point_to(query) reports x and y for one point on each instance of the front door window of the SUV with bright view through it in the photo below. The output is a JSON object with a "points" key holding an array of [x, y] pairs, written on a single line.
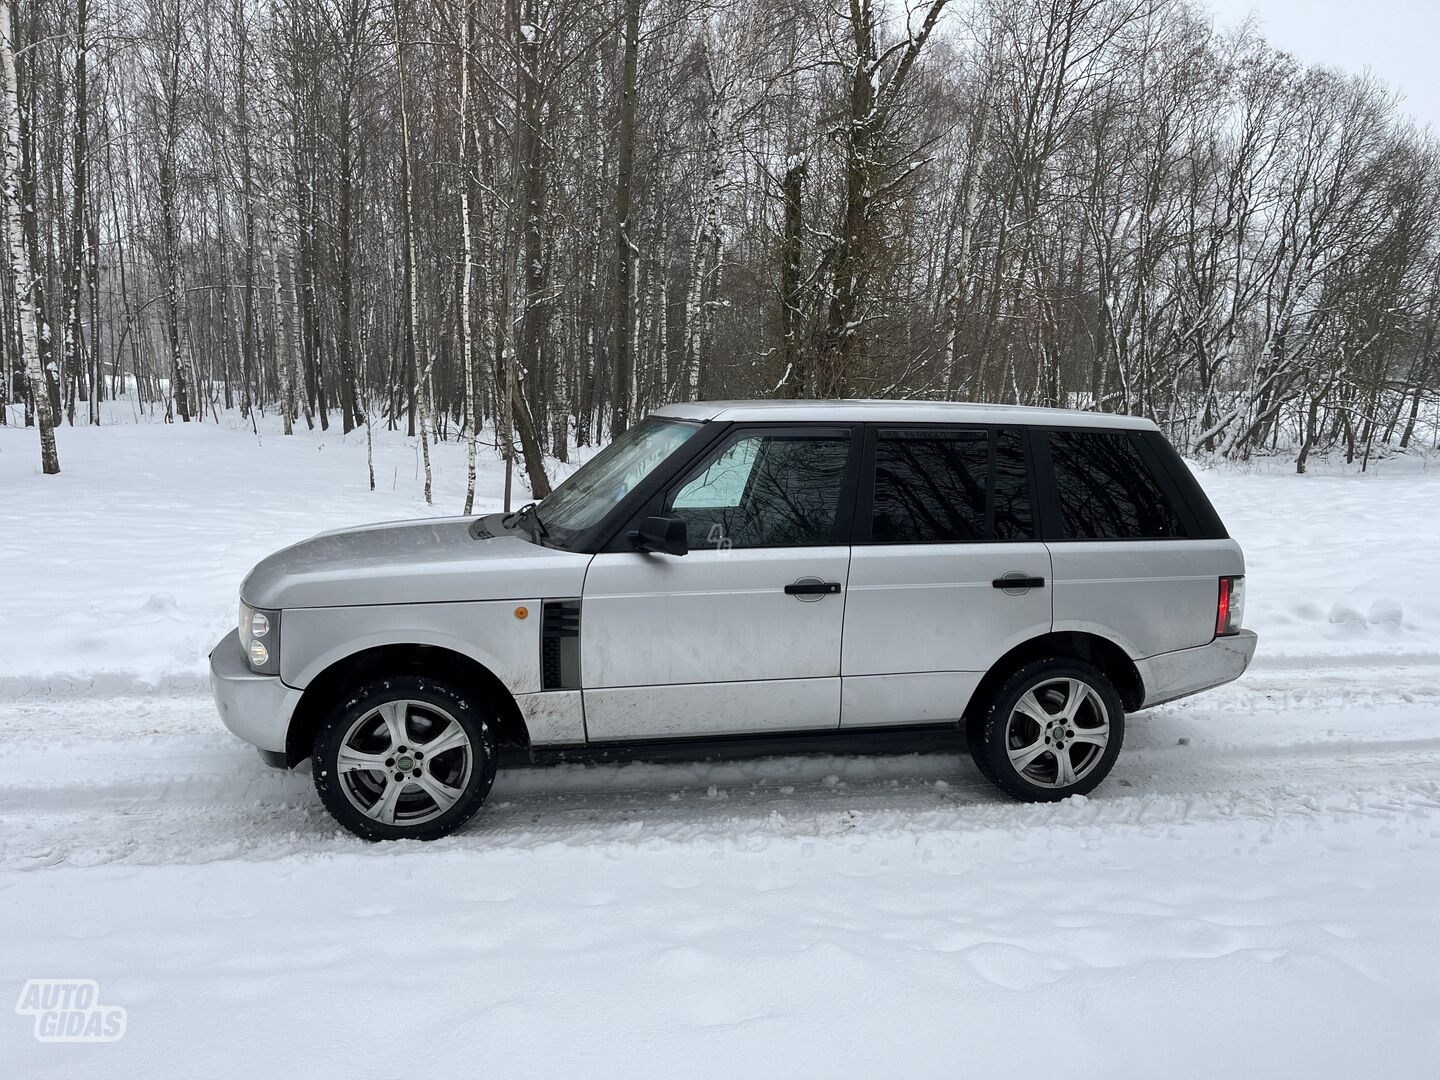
{"points": [[765, 492]]}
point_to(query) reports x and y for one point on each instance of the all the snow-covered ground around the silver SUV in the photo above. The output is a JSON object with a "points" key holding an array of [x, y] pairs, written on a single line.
{"points": [[1255, 889]]}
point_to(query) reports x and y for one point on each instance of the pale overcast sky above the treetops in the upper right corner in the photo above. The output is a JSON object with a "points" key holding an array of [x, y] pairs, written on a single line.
{"points": [[1396, 40]]}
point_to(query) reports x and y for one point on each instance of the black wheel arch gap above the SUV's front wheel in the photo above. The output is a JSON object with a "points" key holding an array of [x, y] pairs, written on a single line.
{"points": [[436, 662]]}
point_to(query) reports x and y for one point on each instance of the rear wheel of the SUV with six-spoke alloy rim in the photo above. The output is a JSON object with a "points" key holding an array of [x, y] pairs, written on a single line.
{"points": [[1053, 729]]}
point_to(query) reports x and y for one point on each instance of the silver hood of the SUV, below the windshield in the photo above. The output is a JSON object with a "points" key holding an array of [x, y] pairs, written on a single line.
{"points": [[413, 562]]}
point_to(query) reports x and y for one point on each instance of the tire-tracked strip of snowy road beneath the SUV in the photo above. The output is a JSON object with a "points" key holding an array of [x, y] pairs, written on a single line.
{"points": [[199, 798]]}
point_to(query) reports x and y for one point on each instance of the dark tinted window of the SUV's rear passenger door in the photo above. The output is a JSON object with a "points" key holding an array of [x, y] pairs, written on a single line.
{"points": [[950, 487]]}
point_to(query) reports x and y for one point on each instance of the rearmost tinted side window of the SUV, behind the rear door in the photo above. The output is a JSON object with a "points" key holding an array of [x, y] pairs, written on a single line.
{"points": [[1107, 489]]}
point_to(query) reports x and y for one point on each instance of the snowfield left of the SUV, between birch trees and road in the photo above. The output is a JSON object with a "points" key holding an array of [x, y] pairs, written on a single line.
{"points": [[135, 554]]}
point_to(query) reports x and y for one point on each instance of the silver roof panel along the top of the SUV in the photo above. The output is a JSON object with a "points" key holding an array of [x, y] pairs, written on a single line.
{"points": [[852, 411]]}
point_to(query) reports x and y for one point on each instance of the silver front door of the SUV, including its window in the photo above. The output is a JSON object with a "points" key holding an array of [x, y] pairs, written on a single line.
{"points": [[742, 634]]}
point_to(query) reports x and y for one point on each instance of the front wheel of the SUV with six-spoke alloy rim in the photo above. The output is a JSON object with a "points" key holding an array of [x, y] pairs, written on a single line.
{"points": [[405, 758]]}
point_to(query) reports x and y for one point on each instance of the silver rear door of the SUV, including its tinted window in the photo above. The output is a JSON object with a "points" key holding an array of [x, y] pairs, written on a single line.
{"points": [[947, 574]]}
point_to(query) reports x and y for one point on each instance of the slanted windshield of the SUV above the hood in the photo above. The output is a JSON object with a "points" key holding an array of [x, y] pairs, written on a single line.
{"points": [[601, 483]]}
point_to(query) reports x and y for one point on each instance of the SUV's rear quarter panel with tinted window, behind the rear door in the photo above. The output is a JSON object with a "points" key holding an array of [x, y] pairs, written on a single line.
{"points": [[1134, 561]]}
